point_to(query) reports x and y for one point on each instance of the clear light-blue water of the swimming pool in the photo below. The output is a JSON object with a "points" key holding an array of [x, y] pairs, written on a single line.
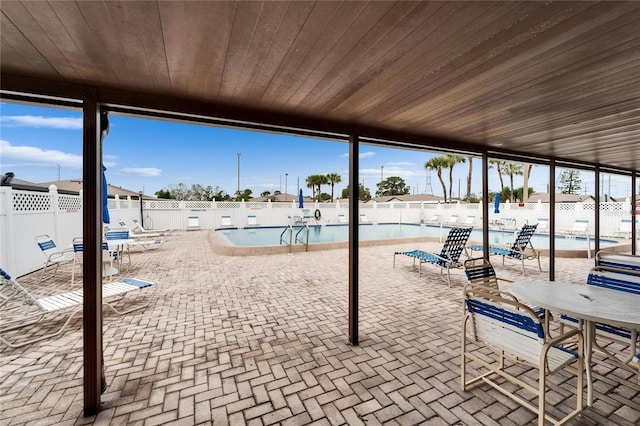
{"points": [[270, 236]]}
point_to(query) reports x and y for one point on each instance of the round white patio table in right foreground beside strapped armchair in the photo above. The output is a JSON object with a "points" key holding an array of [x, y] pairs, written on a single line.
{"points": [[585, 302]]}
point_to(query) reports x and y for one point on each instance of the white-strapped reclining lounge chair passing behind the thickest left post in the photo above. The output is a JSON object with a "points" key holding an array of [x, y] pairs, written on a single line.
{"points": [[33, 309]]}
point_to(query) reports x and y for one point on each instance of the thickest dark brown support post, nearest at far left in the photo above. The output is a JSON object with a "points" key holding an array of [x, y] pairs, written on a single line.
{"points": [[92, 262]]}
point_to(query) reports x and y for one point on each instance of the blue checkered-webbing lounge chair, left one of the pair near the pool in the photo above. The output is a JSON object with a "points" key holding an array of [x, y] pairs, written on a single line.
{"points": [[449, 256]]}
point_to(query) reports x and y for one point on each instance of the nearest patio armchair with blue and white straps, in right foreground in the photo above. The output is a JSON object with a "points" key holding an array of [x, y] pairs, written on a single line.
{"points": [[499, 334]]}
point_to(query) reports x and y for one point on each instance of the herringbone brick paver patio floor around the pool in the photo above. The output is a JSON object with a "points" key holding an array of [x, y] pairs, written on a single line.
{"points": [[262, 340]]}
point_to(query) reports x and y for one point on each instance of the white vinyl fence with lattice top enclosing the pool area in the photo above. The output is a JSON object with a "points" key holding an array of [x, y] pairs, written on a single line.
{"points": [[26, 214]]}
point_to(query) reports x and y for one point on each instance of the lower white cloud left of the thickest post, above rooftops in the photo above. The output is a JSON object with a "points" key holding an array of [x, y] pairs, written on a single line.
{"points": [[30, 155]]}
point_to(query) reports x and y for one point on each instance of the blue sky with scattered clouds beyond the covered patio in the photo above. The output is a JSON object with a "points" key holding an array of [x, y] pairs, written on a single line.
{"points": [[37, 143]]}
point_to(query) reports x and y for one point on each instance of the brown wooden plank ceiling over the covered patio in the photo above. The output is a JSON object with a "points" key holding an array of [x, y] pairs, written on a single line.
{"points": [[549, 78]]}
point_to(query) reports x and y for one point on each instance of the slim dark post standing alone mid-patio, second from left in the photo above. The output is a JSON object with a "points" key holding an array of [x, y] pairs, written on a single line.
{"points": [[354, 223]]}
